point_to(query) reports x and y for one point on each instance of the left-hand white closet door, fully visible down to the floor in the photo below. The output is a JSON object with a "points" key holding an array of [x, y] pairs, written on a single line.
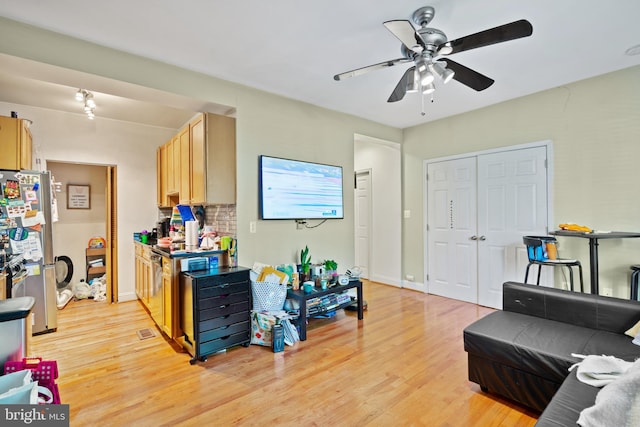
{"points": [[452, 254]]}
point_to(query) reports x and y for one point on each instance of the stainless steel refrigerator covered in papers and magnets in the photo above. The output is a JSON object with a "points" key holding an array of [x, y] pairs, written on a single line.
{"points": [[27, 202]]}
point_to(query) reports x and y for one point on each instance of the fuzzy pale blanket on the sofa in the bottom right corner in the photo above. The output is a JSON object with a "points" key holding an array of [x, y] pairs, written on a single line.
{"points": [[617, 404]]}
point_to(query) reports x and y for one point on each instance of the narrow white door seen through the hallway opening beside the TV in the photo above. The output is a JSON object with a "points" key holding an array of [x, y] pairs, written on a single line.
{"points": [[363, 221]]}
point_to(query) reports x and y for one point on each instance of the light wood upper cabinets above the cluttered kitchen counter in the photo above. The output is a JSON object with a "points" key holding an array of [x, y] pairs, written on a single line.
{"points": [[205, 170]]}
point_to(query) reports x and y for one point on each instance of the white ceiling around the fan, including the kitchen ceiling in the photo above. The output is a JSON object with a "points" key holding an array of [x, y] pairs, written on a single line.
{"points": [[293, 48]]}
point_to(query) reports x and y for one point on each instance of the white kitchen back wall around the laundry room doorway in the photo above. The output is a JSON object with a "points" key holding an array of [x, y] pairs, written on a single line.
{"points": [[66, 137]]}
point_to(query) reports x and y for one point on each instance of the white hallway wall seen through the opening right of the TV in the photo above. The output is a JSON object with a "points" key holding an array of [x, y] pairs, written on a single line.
{"points": [[383, 159]]}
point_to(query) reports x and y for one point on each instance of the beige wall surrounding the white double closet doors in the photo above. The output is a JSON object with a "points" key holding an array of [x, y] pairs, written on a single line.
{"points": [[595, 129]]}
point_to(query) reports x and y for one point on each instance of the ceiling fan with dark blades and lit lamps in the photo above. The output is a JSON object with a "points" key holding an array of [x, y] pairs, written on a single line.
{"points": [[426, 47]]}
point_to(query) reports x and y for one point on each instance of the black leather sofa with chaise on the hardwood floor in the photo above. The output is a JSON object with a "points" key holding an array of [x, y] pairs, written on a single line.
{"points": [[523, 352]]}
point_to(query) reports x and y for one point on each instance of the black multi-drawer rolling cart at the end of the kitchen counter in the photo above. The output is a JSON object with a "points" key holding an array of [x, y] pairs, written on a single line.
{"points": [[215, 310]]}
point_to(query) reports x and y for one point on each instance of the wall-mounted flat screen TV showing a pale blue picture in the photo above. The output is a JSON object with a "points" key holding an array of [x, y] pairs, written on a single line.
{"points": [[294, 189]]}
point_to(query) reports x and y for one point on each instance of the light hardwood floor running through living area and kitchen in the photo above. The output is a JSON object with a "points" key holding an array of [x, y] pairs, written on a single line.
{"points": [[403, 365]]}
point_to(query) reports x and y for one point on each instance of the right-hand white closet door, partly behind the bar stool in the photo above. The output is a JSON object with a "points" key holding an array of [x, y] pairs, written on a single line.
{"points": [[512, 202]]}
